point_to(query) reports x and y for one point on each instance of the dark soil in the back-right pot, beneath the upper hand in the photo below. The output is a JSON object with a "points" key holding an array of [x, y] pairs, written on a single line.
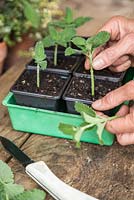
{"points": [[106, 73]]}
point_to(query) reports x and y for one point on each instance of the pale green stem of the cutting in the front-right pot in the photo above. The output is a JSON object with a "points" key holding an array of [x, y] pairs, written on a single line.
{"points": [[92, 74]]}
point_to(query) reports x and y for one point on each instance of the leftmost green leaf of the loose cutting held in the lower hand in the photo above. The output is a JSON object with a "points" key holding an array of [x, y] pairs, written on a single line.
{"points": [[67, 129]]}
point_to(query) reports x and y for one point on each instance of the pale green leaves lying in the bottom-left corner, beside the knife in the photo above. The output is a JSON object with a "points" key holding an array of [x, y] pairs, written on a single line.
{"points": [[11, 191]]}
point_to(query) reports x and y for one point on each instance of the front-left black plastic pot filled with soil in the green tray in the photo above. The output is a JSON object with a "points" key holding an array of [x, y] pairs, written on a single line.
{"points": [[37, 100]]}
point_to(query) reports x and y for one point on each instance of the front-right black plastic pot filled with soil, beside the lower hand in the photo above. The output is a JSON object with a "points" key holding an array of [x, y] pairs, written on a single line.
{"points": [[74, 89]]}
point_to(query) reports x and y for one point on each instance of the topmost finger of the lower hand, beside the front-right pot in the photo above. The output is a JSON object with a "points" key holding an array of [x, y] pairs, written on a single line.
{"points": [[116, 97]]}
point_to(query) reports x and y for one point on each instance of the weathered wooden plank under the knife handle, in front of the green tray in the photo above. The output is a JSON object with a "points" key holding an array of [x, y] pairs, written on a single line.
{"points": [[103, 172]]}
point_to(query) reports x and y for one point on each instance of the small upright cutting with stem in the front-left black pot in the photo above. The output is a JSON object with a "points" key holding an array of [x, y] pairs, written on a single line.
{"points": [[40, 59]]}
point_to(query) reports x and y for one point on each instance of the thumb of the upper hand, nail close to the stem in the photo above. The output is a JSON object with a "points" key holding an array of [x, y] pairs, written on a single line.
{"points": [[111, 54]]}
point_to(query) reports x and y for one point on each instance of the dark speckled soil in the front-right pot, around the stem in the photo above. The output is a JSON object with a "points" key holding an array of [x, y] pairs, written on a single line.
{"points": [[80, 88]]}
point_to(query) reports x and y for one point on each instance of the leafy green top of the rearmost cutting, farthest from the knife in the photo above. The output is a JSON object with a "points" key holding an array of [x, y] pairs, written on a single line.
{"points": [[69, 22]]}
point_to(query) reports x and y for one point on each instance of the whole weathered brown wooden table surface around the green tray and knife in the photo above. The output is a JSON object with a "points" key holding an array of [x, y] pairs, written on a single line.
{"points": [[106, 173]]}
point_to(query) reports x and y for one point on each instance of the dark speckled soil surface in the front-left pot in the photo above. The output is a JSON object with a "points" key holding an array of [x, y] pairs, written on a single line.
{"points": [[50, 84]]}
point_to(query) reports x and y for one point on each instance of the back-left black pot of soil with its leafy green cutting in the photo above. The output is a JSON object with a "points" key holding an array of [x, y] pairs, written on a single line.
{"points": [[53, 43]]}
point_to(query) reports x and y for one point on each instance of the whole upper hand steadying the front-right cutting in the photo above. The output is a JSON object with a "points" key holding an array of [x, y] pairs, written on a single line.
{"points": [[119, 51]]}
